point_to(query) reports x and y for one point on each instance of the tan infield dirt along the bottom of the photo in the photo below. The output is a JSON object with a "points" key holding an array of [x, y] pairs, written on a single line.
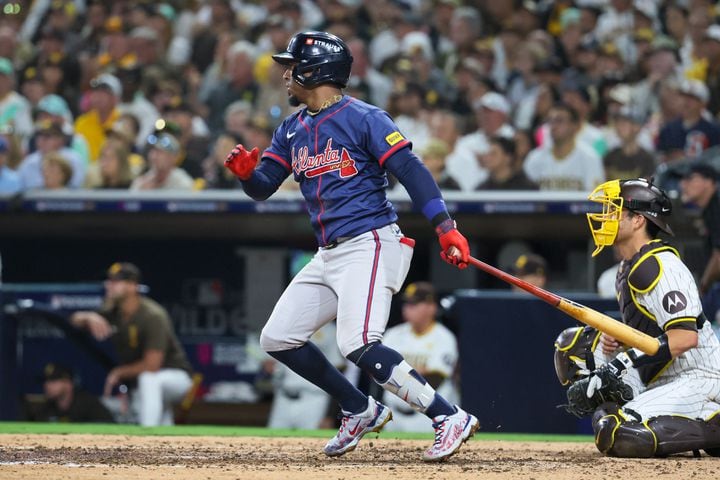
{"points": [[123, 457]]}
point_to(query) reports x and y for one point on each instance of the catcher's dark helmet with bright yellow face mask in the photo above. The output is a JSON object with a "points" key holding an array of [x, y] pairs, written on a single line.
{"points": [[637, 195]]}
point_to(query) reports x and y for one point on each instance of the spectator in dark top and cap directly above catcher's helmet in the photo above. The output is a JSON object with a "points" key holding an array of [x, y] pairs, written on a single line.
{"points": [[628, 160]]}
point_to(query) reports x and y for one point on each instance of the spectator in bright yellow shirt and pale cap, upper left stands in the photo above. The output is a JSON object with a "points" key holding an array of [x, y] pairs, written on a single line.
{"points": [[103, 113]]}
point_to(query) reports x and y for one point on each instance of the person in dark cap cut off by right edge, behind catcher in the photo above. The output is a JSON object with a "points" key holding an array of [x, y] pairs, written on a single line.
{"points": [[699, 187]]}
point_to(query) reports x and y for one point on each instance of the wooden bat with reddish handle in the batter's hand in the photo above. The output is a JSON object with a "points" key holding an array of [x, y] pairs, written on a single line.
{"points": [[618, 330]]}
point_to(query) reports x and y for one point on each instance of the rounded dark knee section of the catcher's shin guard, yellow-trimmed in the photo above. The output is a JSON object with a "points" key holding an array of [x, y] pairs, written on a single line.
{"points": [[617, 437]]}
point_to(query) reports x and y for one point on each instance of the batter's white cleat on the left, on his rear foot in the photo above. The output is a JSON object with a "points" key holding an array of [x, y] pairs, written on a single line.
{"points": [[355, 426]]}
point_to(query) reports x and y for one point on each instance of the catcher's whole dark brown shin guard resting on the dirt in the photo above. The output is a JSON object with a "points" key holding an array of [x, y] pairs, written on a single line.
{"points": [[657, 437]]}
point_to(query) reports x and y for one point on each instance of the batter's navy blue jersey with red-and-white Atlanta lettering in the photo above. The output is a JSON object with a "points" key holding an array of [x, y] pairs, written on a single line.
{"points": [[337, 157]]}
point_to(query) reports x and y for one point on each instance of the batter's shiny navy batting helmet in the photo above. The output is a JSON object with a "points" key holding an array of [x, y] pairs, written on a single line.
{"points": [[317, 58]]}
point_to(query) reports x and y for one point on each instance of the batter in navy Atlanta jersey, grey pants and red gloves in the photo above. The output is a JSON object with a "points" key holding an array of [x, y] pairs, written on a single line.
{"points": [[338, 149]]}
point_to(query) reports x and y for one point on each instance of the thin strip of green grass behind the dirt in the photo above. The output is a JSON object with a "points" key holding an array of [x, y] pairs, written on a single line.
{"points": [[229, 431]]}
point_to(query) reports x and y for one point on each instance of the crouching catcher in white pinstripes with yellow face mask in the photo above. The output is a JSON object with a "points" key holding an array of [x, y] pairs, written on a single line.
{"points": [[645, 405]]}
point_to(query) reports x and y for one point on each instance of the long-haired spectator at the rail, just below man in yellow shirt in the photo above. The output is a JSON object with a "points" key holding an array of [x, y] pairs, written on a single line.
{"points": [[112, 170]]}
